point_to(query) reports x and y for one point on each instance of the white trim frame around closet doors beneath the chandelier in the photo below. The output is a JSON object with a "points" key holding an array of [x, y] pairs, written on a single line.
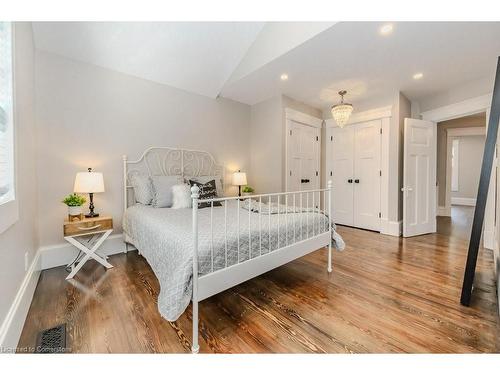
{"points": [[392, 228]]}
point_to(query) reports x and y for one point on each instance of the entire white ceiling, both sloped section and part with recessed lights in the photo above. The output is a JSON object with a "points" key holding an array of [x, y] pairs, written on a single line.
{"points": [[320, 59]]}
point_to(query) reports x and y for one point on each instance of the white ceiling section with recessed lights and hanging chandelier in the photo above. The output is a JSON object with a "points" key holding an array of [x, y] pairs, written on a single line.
{"points": [[355, 57]]}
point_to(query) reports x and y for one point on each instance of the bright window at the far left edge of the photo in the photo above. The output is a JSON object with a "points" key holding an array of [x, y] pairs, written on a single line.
{"points": [[7, 189]]}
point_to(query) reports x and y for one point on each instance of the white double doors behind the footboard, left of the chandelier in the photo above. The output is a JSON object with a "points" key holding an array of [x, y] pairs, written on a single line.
{"points": [[303, 148]]}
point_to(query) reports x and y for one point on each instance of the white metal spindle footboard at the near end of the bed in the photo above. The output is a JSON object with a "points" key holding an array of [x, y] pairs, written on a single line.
{"points": [[242, 270]]}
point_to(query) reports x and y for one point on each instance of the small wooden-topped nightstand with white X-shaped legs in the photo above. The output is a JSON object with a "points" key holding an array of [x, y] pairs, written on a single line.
{"points": [[88, 235]]}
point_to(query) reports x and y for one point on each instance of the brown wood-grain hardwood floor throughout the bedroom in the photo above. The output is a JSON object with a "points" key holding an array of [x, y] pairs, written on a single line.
{"points": [[386, 294]]}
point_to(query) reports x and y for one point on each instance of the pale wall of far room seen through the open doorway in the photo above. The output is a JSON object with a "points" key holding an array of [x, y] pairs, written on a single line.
{"points": [[470, 158]]}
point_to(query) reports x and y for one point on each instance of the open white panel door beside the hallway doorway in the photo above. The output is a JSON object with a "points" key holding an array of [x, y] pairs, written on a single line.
{"points": [[419, 177]]}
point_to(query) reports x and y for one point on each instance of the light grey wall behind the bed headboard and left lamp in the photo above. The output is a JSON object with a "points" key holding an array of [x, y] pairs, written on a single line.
{"points": [[89, 116]]}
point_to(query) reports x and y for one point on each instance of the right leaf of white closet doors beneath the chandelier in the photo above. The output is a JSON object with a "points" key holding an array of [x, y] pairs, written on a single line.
{"points": [[366, 210]]}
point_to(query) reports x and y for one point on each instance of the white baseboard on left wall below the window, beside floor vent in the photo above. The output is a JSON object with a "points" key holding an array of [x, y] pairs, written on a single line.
{"points": [[13, 324]]}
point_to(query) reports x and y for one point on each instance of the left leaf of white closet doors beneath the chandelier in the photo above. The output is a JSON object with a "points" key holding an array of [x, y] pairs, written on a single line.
{"points": [[343, 175]]}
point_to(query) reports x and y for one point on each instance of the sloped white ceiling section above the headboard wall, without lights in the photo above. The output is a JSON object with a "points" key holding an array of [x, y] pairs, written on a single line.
{"points": [[194, 56]]}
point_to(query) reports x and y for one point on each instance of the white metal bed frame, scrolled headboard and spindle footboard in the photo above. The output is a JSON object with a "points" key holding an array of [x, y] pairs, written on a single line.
{"points": [[192, 163]]}
